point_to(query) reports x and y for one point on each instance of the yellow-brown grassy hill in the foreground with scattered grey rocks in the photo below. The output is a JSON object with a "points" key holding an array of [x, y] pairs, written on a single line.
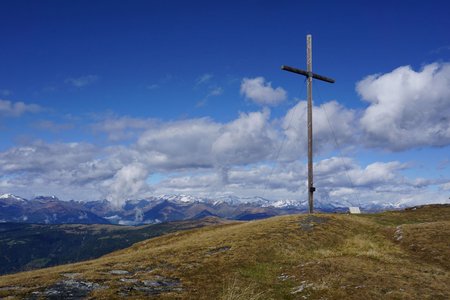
{"points": [[393, 255]]}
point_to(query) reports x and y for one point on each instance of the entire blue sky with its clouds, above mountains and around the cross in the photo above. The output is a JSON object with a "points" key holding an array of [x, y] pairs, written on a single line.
{"points": [[123, 99]]}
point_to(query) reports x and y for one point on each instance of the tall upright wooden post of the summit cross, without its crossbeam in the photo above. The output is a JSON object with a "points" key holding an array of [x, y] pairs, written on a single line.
{"points": [[310, 137]]}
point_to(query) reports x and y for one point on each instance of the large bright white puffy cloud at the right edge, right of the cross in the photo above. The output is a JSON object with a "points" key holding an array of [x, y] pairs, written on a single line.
{"points": [[407, 108]]}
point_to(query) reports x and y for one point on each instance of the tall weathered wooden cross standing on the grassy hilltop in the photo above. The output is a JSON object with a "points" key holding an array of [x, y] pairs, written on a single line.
{"points": [[309, 75]]}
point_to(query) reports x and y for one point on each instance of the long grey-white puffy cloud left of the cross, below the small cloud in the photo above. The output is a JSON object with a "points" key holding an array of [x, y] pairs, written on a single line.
{"points": [[203, 143]]}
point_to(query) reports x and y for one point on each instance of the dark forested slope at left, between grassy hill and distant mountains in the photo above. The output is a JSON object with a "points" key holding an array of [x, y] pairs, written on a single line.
{"points": [[32, 246]]}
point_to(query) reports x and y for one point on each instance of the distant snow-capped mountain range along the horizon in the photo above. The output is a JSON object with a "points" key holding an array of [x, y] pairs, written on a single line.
{"points": [[157, 209]]}
